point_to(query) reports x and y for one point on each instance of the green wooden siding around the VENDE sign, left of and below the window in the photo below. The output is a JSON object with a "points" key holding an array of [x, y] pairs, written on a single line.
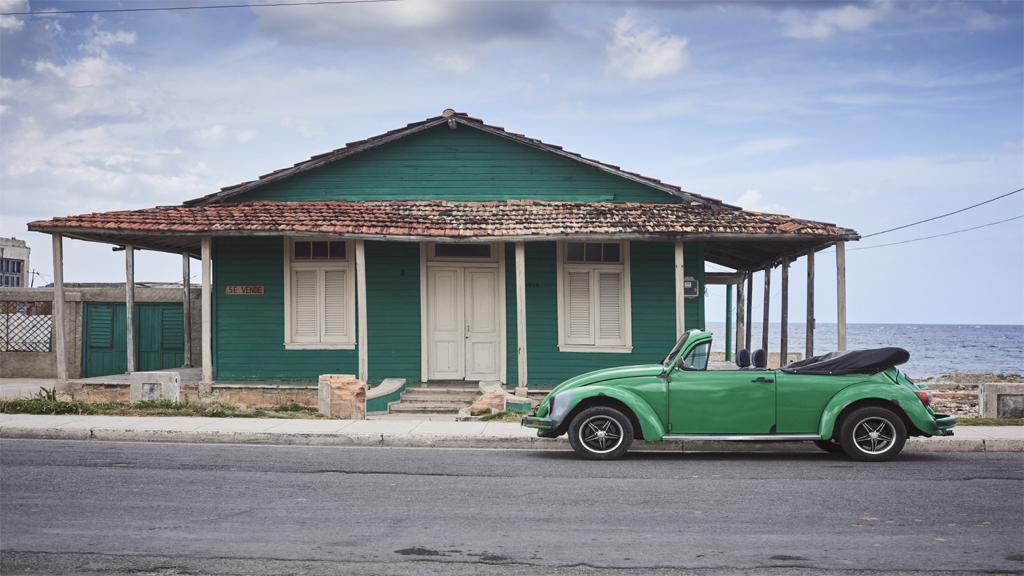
{"points": [[249, 332]]}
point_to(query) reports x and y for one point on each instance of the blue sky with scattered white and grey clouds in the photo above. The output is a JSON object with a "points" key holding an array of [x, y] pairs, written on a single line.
{"points": [[869, 115]]}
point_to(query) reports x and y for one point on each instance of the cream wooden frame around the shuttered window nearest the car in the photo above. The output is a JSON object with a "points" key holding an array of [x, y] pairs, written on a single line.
{"points": [[625, 344]]}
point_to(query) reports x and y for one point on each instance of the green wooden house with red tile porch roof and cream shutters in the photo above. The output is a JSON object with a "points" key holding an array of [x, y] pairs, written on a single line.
{"points": [[451, 251]]}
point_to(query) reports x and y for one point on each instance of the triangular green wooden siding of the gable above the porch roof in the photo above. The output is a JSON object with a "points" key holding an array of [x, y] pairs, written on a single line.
{"points": [[462, 164]]}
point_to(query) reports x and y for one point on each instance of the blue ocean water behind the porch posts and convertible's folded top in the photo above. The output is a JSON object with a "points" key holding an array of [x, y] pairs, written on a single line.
{"points": [[935, 349]]}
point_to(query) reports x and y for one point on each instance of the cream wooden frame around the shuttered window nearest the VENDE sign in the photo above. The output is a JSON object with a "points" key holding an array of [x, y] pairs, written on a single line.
{"points": [[321, 267]]}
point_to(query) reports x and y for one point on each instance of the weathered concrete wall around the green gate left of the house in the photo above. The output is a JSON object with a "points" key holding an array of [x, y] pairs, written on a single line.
{"points": [[45, 365]]}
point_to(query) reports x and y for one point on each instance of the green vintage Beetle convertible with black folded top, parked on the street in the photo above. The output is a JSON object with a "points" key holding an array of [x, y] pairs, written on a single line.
{"points": [[855, 402]]}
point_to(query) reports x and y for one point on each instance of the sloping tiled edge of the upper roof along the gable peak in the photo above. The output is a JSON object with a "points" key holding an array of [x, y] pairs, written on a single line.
{"points": [[451, 118]]}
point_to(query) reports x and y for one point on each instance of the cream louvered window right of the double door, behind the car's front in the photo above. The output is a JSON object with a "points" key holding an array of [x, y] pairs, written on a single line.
{"points": [[594, 307]]}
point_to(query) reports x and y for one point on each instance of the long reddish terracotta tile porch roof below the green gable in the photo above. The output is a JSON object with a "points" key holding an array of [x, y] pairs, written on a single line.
{"points": [[437, 220]]}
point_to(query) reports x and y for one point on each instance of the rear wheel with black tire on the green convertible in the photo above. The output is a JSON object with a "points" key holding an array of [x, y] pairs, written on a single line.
{"points": [[873, 435]]}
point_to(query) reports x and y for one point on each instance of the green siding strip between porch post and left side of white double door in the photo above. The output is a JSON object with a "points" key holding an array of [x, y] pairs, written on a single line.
{"points": [[394, 310]]}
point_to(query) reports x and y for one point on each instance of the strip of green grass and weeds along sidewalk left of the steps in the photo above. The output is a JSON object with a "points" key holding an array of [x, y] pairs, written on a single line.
{"points": [[46, 402]]}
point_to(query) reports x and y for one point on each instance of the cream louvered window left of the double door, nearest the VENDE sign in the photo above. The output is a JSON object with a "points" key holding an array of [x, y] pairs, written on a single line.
{"points": [[321, 312]]}
